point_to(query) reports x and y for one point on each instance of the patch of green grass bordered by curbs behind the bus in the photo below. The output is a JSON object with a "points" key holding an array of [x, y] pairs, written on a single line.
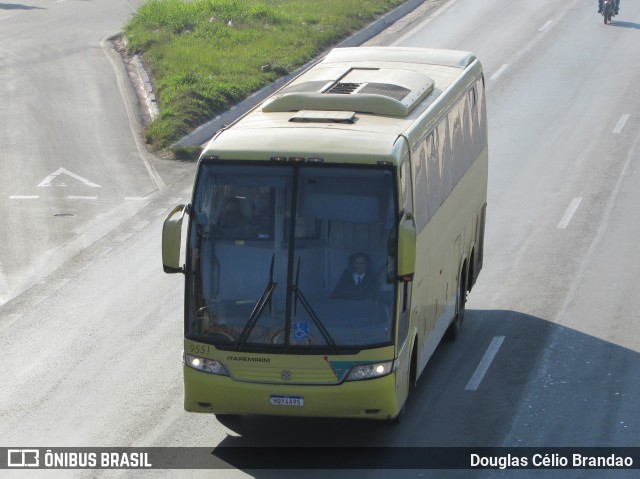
{"points": [[206, 55]]}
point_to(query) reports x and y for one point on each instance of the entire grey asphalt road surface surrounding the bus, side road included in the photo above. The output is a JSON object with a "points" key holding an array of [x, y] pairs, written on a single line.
{"points": [[549, 353]]}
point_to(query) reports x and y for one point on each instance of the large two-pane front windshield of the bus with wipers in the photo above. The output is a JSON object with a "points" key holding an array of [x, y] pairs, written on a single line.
{"points": [[291, 256]]}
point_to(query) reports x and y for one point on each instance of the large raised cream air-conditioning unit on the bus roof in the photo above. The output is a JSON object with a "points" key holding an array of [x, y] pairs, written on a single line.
{"points": [[381, 91]]}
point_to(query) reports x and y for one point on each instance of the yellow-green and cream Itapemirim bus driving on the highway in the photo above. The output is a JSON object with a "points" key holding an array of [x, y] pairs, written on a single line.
{"points": [[370, 166]]}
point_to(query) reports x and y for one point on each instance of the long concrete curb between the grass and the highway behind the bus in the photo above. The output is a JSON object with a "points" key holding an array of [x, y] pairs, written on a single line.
{"points": [[206, 131]]}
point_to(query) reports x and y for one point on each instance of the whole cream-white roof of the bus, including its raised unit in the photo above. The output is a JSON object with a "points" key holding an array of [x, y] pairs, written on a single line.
{"points": [[350, 107]]}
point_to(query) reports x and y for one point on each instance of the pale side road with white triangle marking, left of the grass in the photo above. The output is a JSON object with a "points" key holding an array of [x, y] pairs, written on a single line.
{"points": [[73, 164]]}
